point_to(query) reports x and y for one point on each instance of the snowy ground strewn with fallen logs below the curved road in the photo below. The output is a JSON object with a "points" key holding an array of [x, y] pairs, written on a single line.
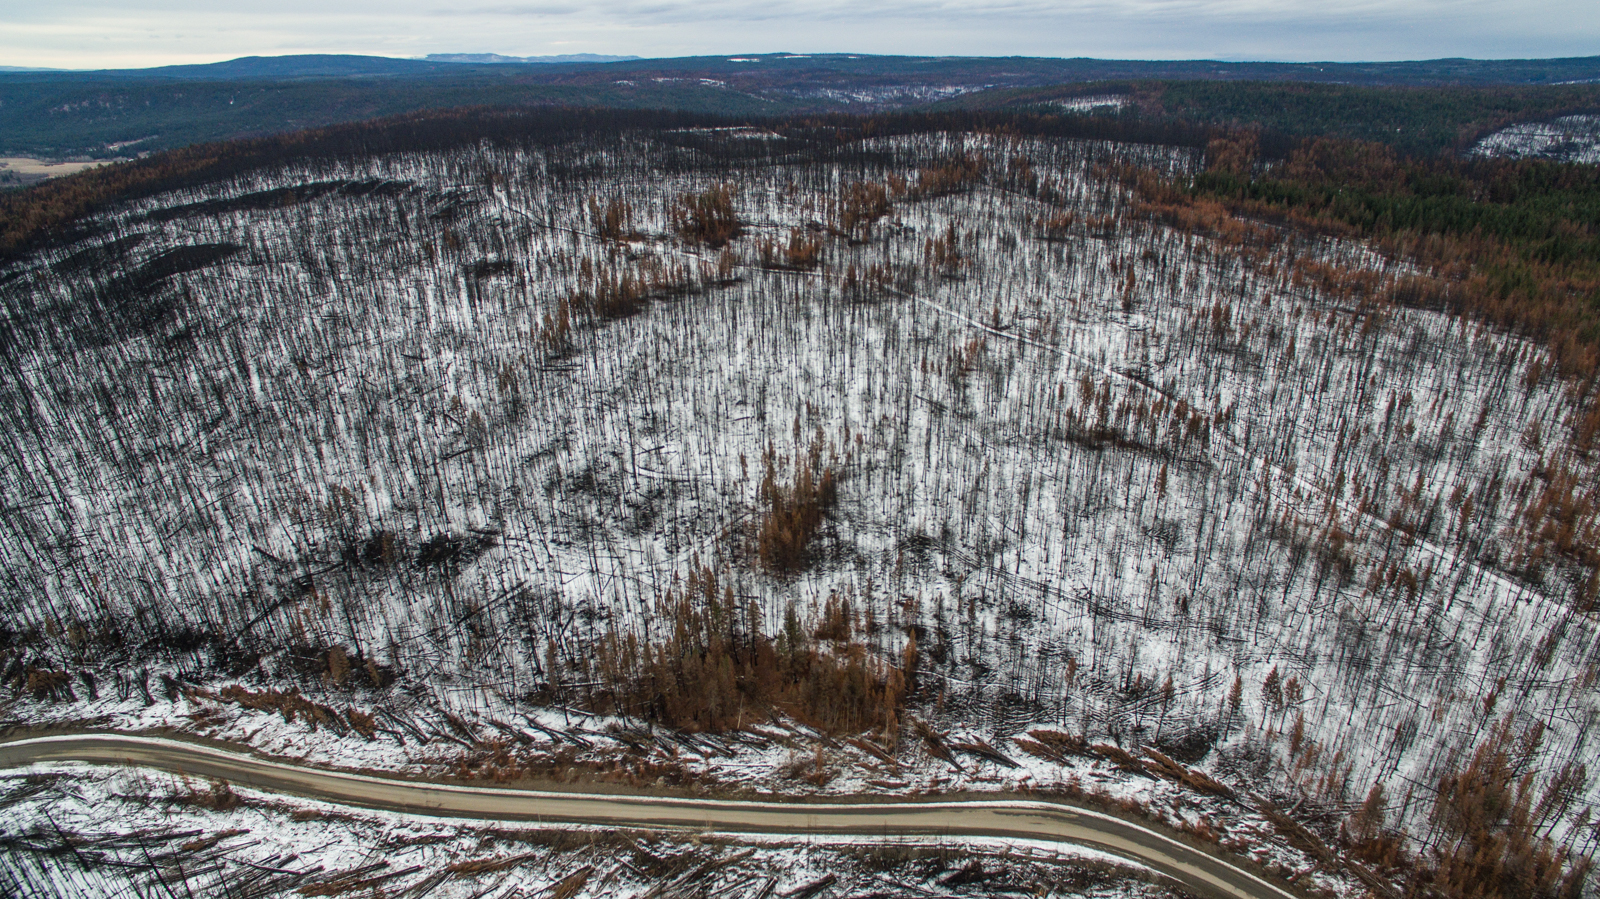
{"points": [[78, 831]]}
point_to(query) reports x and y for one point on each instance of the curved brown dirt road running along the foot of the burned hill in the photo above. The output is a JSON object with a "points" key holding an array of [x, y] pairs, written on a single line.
{"points": [[1054, 823]]}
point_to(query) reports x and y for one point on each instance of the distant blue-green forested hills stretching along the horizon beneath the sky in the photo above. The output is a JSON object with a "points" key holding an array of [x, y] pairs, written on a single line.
{"points": [[126, 113]]}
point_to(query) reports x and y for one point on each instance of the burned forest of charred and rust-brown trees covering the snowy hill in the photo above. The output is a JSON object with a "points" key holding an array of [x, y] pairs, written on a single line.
{"points": [[809, 458]]}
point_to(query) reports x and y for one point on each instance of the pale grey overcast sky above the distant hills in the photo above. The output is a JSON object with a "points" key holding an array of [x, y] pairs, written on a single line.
{"points": [[95, 34]]}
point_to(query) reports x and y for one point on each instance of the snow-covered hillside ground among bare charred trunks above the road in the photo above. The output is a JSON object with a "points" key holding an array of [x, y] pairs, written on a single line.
{"points": [[1105, 471]]}
